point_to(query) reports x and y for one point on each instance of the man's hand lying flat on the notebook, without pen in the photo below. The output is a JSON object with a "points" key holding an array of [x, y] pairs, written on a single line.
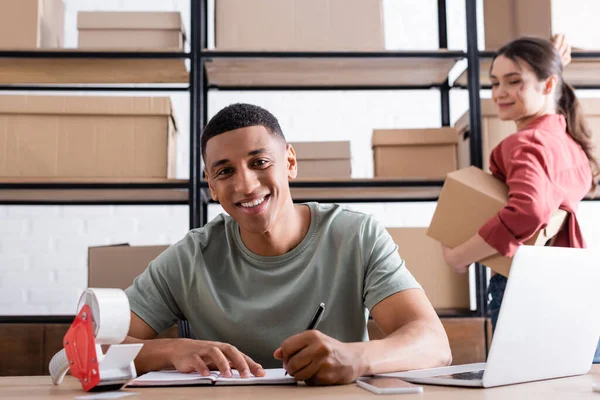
{"points": [[188, 355]]}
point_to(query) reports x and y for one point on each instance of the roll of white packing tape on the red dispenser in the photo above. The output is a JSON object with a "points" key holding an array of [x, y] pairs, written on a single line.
{"points": [[111, 315]]}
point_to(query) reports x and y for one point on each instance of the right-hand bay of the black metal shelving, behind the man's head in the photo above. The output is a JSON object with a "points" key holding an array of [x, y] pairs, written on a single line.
{"points": [[220, 70]]}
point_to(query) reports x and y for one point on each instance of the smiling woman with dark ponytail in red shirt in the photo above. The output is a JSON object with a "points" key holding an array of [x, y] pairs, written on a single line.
{"points": [[547, 164]]}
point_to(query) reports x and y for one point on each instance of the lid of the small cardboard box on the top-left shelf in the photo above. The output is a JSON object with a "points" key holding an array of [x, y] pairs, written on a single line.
{"points": [[169, 20]]}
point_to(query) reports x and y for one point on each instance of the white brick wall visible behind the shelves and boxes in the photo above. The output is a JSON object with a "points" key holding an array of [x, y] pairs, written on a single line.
{"points": [[43, 250]]}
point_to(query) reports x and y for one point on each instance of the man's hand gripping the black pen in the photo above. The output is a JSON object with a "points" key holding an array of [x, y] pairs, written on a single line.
{"points": [[318, 359]]}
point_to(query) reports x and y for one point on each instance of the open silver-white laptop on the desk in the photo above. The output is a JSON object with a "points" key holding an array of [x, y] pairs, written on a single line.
{"points": [[548, 326]]}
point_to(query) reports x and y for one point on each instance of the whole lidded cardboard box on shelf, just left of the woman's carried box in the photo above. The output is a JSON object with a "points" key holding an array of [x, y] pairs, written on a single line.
{"points": [[414, 153]]}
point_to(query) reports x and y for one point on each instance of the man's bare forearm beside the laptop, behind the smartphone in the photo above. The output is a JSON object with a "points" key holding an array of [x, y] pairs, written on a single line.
{"points": [[414, 346]]}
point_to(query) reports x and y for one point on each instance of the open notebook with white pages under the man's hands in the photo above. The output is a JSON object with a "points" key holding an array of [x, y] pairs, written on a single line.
{"points": [[174, 378]]}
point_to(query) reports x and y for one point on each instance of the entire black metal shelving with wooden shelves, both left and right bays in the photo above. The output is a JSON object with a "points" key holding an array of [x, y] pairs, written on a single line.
{"points": [[210, 70]]}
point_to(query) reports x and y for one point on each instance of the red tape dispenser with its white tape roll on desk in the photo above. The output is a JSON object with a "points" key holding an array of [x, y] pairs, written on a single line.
{"points": [[103, 318]]}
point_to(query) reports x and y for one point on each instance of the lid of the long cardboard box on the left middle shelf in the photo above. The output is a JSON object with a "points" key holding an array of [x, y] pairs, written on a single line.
{"points": [[85, 105]]}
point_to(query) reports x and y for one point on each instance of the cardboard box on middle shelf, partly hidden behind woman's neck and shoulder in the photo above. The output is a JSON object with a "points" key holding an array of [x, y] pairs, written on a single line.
{"points": [[494, 130]]}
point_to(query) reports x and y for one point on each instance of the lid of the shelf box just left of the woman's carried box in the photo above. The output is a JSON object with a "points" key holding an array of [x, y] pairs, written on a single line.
{"points": [[407, 137]]}
